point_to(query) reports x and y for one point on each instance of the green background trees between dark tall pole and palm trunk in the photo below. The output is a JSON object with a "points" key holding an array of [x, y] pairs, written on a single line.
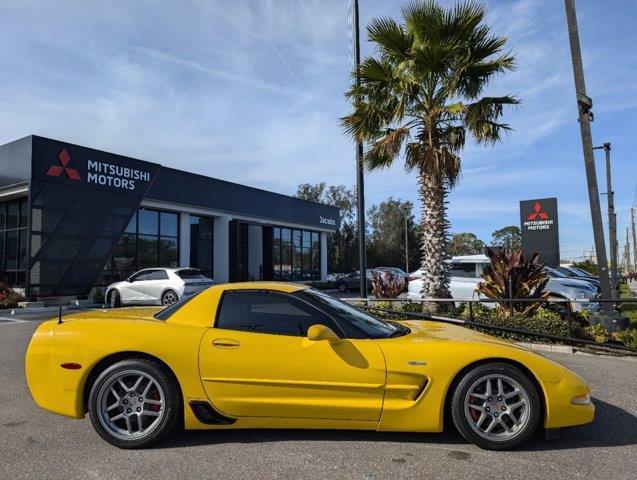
{"points": [[386, 239]]}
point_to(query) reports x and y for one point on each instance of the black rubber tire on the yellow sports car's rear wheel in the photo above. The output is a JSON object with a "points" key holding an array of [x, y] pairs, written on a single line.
{"points": [[165, 417]]}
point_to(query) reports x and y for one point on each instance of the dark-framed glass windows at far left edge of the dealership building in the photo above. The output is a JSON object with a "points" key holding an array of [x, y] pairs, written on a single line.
{"points": [[13, 242]]}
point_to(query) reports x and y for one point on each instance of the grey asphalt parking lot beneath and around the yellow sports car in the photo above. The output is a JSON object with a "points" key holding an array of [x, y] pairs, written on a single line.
{"points": [[36, 444]]}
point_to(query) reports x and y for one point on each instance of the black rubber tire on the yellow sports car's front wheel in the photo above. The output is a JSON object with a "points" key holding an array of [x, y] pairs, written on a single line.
{"points": [[529, 420]]}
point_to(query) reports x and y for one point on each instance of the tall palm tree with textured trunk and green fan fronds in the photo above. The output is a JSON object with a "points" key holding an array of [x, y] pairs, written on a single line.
{"points": [[419, 98]]}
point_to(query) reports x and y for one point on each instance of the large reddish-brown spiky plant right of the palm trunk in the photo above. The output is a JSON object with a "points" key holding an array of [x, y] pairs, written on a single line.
{"points": [[512, 276]]}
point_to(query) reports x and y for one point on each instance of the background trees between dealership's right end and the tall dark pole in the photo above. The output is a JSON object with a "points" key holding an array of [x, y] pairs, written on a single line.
{"points": [[342, 246]]}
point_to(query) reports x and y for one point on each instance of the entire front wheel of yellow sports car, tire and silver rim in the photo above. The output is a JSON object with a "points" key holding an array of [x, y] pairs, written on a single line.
{"points": [[496, 406]]}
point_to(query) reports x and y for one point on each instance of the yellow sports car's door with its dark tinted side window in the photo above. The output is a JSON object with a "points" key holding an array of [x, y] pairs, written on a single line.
{"points": [[257, 361]]}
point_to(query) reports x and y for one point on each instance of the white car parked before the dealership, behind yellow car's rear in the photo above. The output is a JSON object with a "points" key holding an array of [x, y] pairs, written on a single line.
{"points": [[157, 286]]}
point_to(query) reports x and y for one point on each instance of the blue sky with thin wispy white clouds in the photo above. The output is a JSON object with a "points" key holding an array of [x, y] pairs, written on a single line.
{"points": [[251, 91]]}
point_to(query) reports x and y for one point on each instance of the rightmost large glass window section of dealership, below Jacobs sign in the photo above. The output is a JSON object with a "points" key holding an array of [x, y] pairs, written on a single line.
{"points": [[296, 254]]}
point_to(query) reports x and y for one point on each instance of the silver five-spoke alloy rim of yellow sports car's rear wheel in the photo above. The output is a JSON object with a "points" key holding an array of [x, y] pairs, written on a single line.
{"points": [[130, 404]]}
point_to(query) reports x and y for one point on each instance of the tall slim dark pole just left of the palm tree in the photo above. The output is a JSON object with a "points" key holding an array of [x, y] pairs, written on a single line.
{"points": [[360, 177]]}
